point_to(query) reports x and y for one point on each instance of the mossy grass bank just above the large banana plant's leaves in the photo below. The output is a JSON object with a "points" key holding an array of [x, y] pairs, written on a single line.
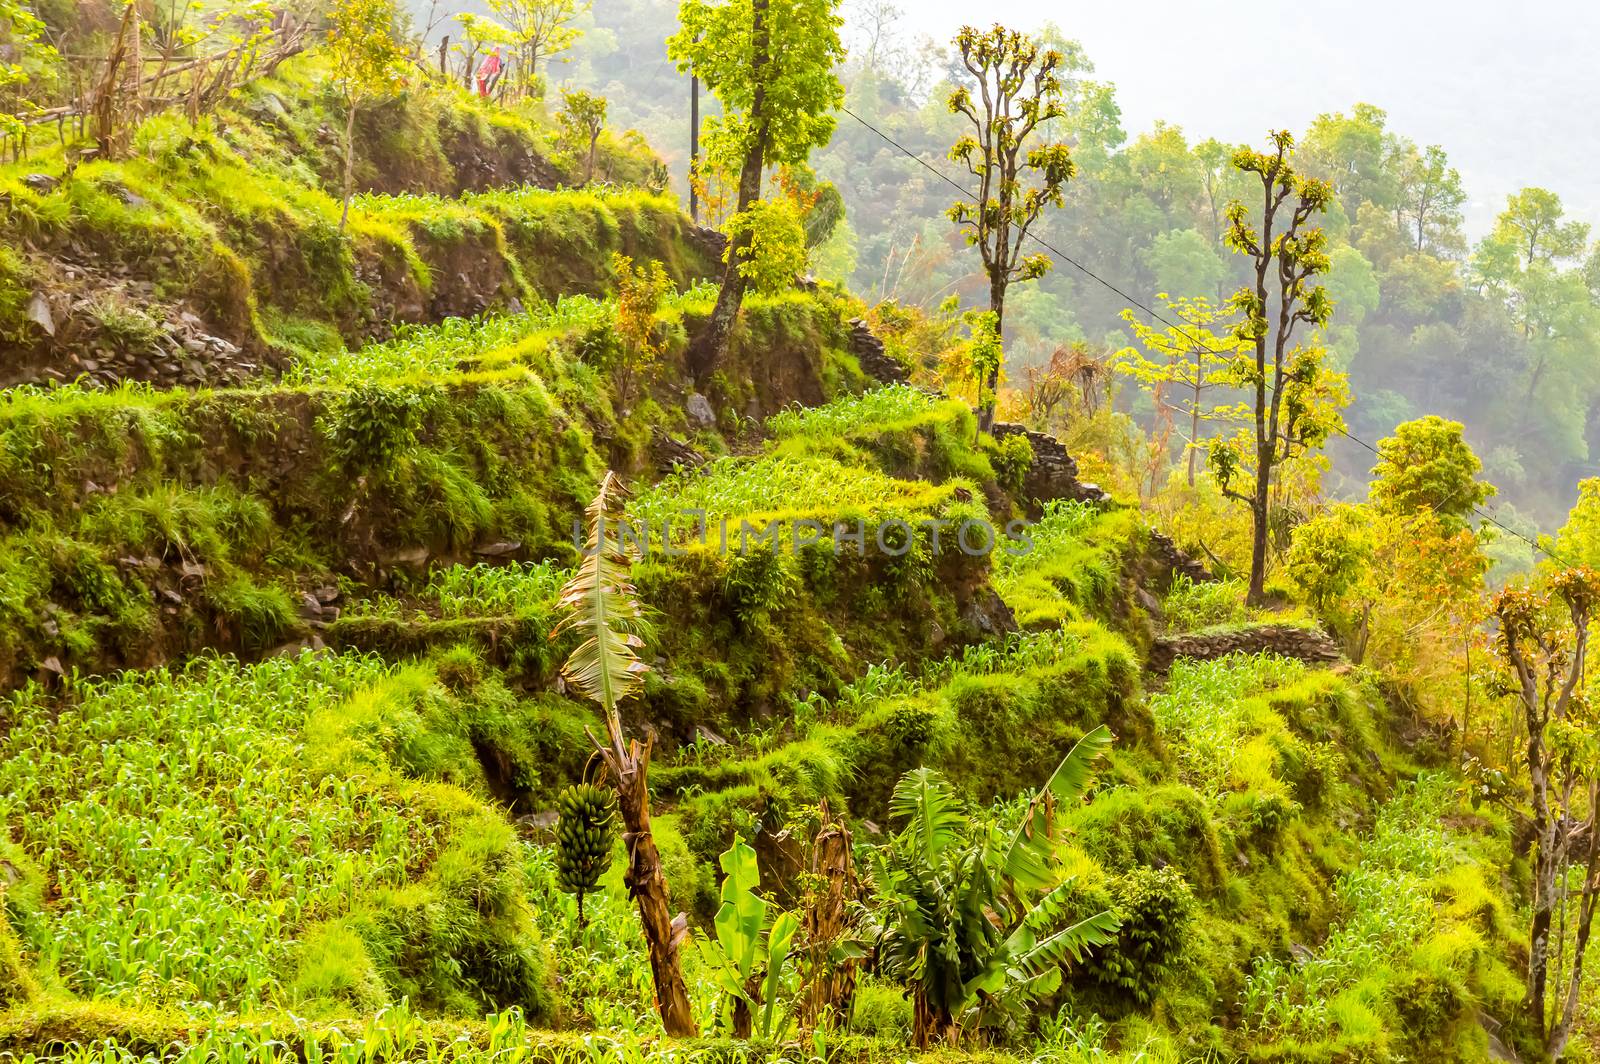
{"points": [[962, 719]]}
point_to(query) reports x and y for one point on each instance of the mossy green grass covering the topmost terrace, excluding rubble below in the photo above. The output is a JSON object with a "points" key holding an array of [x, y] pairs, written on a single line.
{"points": [[241, 217]]}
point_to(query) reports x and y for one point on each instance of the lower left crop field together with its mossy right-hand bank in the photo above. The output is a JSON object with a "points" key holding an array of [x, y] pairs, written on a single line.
{"points": [[193, 847]]}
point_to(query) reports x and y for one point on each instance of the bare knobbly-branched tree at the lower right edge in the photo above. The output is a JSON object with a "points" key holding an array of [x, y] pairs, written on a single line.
{"points": [[1545, 639]]}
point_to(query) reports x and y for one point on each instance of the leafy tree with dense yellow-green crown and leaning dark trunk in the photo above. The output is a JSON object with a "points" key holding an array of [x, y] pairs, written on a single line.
{"points": [[772, 66]]}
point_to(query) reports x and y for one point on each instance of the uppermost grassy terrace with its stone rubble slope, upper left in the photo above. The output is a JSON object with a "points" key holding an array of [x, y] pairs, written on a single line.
{"points": [[214, 254]]}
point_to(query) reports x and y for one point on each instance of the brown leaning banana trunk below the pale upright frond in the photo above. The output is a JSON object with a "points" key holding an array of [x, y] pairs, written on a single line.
{"points": [[649, 887]]}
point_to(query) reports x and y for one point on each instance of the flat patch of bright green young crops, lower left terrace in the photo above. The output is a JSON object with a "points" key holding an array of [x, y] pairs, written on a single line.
{"points": [[180, 831]]}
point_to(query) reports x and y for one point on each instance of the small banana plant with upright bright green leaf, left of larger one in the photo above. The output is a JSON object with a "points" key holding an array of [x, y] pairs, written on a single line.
{"points": [[750, 954]]}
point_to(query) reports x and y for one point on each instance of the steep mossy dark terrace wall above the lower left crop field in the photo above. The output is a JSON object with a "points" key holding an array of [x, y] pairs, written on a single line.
{"points": [[223, 498]]}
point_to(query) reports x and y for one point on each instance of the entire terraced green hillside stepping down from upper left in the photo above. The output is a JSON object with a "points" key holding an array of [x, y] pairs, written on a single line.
{"points": [[286, 524]]}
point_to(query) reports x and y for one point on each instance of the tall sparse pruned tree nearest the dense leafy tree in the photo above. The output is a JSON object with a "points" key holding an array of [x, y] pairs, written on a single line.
{"points": [[1018, 87]]}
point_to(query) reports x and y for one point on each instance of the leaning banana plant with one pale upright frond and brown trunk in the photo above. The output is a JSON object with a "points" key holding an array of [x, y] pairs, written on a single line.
{"points": [[602, 606]]}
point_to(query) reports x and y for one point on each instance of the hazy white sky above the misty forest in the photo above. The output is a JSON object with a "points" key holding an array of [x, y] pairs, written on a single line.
{"points": [[1510, 90]]}
